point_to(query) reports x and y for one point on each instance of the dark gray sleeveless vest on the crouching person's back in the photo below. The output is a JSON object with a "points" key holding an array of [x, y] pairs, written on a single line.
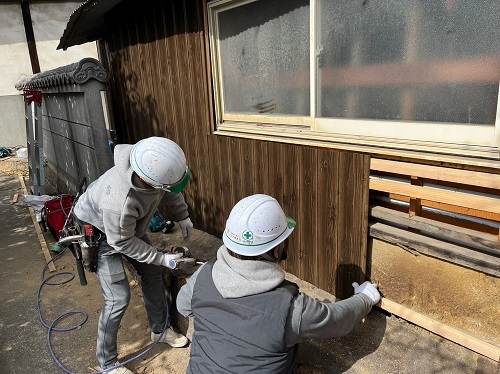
{"points": [[240, 335]]}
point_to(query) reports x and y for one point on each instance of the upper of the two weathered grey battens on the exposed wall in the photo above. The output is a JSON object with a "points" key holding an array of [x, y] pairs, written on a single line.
{"points": [[438, 230]]}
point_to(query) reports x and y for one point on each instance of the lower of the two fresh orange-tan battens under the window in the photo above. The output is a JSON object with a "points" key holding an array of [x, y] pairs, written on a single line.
{"points": [[485, 204]]}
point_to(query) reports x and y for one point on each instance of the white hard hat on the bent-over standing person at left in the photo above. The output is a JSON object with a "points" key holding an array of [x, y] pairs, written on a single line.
{"points": [[161, 163]]}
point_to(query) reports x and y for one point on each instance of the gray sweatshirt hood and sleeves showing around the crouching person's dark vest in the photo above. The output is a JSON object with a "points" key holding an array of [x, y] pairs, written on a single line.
{"points": [[307, 318]]}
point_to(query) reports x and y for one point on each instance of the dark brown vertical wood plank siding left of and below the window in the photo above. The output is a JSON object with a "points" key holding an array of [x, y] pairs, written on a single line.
{"points": [[160, 85]]}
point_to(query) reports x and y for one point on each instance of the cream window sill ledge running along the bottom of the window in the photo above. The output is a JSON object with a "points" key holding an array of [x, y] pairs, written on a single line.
{"points": [[474, 156]]}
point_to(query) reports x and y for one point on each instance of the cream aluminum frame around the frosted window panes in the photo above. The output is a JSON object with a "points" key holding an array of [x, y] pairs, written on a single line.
{"points": [[340, 131]]}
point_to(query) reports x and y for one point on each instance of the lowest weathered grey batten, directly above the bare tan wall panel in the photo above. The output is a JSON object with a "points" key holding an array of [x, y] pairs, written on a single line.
{"points": [[485, 263]]}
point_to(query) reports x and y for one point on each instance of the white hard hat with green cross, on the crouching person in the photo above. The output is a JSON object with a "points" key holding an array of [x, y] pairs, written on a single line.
{"points": [[255, 225]]}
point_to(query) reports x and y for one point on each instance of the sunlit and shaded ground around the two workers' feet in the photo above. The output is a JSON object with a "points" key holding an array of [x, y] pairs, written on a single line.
{"points": [[383, 344]]}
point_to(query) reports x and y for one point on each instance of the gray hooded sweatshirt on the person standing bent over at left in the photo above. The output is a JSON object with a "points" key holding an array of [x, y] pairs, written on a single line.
{"points": [[121, 206]]}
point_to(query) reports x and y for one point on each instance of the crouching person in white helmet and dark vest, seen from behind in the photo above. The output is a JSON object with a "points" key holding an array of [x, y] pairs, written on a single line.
{"points": [[247, 317]]}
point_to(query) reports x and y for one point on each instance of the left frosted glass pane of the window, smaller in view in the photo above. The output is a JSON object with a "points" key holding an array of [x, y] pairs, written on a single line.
{"points": [[264, 52]]}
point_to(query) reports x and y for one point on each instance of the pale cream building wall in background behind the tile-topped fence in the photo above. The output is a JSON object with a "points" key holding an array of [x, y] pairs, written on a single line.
{"points": [[49, 20]]}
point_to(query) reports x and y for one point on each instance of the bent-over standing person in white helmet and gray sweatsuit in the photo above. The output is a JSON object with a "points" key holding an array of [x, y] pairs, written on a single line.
{"points": [[120, 205]]}
